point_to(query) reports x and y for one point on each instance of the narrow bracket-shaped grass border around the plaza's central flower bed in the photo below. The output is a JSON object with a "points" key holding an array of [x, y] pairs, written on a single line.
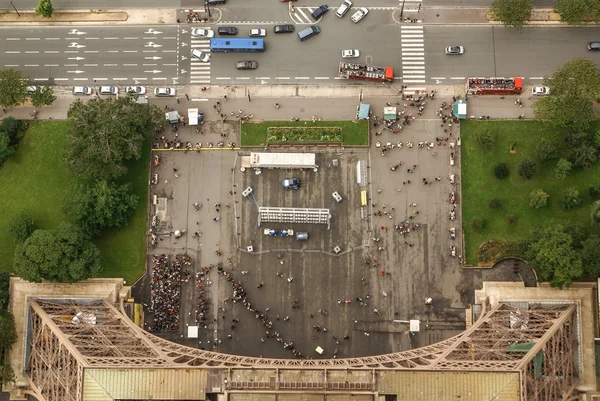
{"points": [[354, 133]]}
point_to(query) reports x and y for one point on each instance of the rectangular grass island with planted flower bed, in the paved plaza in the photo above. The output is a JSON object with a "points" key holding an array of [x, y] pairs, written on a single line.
{"points": [[305, 133]]}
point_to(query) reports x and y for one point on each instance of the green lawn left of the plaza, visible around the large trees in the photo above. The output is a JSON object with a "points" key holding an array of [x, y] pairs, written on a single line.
{"points": [[35, 179]]}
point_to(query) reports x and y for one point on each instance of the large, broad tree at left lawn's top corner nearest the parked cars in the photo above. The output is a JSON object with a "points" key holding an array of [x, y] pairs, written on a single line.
{"points": [[106, 133]]}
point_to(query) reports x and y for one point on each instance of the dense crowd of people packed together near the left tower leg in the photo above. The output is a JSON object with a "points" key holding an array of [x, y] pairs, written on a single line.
{"points": [[165, 290]]}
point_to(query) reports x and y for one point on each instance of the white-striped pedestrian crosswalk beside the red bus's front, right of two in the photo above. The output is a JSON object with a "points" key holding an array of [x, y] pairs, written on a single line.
{"points": [[412, 44]]}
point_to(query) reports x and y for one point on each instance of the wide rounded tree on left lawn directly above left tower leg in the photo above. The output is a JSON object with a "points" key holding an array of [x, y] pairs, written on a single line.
{"points": [[64, 254]]}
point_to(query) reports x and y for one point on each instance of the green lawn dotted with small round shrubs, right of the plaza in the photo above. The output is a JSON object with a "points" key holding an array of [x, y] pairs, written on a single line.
{"points": [[479, 184]]}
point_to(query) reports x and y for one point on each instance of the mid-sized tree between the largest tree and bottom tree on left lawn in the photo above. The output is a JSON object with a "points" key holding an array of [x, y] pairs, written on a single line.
{"points": [[100, 205]]}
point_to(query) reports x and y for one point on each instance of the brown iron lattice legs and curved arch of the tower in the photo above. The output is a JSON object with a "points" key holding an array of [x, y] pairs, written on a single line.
{"points": [[536, 340]]}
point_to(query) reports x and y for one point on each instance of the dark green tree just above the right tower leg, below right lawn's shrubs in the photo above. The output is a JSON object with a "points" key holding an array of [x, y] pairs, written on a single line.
{"points": [[550, 251]]}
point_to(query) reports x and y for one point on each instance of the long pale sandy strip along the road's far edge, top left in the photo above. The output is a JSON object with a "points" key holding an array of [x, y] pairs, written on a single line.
{"points": [[88, 16]]}
